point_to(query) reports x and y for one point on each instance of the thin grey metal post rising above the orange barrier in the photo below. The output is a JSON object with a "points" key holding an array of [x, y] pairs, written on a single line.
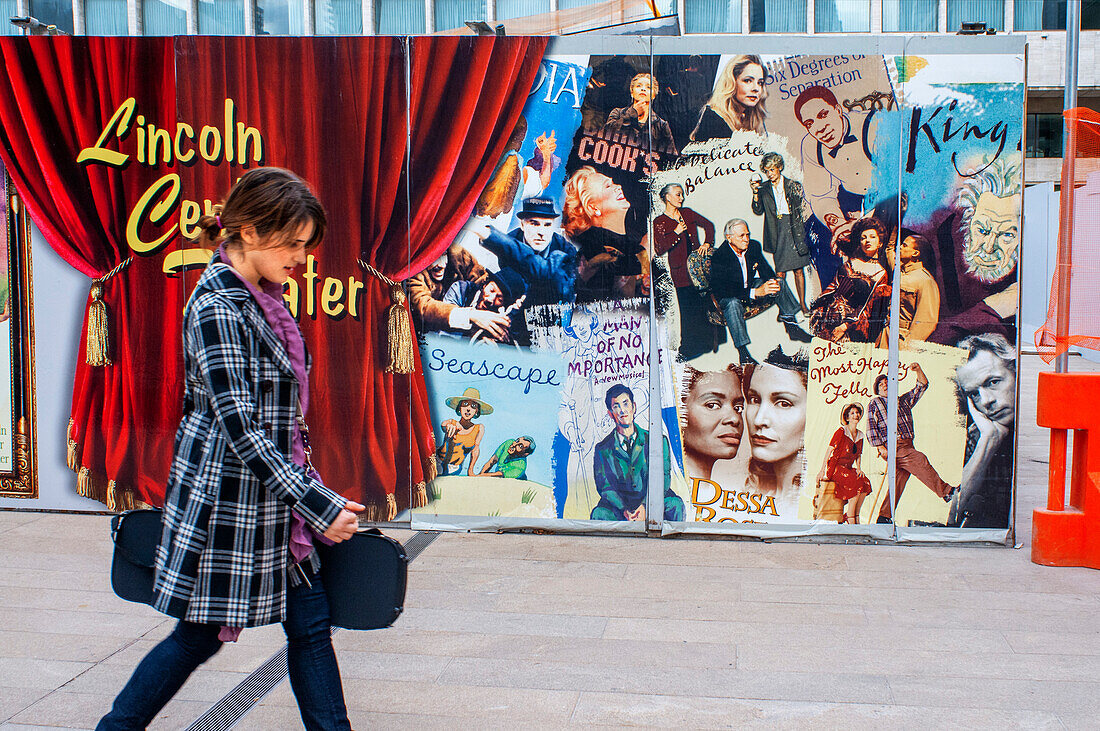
{"points": [[1069, 160]]}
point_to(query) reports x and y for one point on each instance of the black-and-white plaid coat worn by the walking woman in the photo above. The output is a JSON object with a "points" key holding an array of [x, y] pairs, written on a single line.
{"points": [[225, 546]]}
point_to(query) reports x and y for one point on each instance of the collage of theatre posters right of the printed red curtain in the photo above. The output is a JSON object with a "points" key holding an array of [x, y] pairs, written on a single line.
{"points": [[738, 227]]}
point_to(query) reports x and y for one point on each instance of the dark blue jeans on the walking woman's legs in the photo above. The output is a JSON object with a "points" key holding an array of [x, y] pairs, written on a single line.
{"points": [[315, 677]]}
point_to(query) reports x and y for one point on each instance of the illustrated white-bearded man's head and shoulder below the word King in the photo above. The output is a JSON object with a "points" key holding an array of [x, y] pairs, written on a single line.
{"points": [[991, 203]]}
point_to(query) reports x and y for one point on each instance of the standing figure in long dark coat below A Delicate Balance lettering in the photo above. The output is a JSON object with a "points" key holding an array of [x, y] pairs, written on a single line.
{"points": [[780, 203]]}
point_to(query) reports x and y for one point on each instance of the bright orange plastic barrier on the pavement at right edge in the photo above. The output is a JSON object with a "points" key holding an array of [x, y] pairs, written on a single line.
{"points": [[1070, 535]]}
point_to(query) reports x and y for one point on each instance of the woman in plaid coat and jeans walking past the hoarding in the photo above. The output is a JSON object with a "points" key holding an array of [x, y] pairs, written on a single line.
{"points": [[244, 504]]}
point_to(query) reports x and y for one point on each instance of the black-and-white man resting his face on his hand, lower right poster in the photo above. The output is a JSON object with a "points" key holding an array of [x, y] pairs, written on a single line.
{"points": [[988, 381]]}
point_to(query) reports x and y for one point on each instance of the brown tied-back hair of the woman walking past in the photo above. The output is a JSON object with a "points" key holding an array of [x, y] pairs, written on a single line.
{"points": [[274, 202]]}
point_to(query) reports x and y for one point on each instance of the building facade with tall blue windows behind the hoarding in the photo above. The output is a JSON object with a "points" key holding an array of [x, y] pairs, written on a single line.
{"points": [[1043, 21]]}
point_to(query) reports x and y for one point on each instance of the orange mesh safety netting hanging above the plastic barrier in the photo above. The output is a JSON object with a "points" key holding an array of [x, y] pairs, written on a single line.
{"points": [[1082, 235]]}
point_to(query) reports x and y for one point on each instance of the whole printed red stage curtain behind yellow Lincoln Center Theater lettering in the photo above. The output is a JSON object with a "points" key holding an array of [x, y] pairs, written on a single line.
{"points": [[335, 112]]}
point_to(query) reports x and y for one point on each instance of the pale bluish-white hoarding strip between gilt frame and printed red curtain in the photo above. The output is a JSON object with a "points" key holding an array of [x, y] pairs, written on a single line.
{"points": [[60, 295]]}
